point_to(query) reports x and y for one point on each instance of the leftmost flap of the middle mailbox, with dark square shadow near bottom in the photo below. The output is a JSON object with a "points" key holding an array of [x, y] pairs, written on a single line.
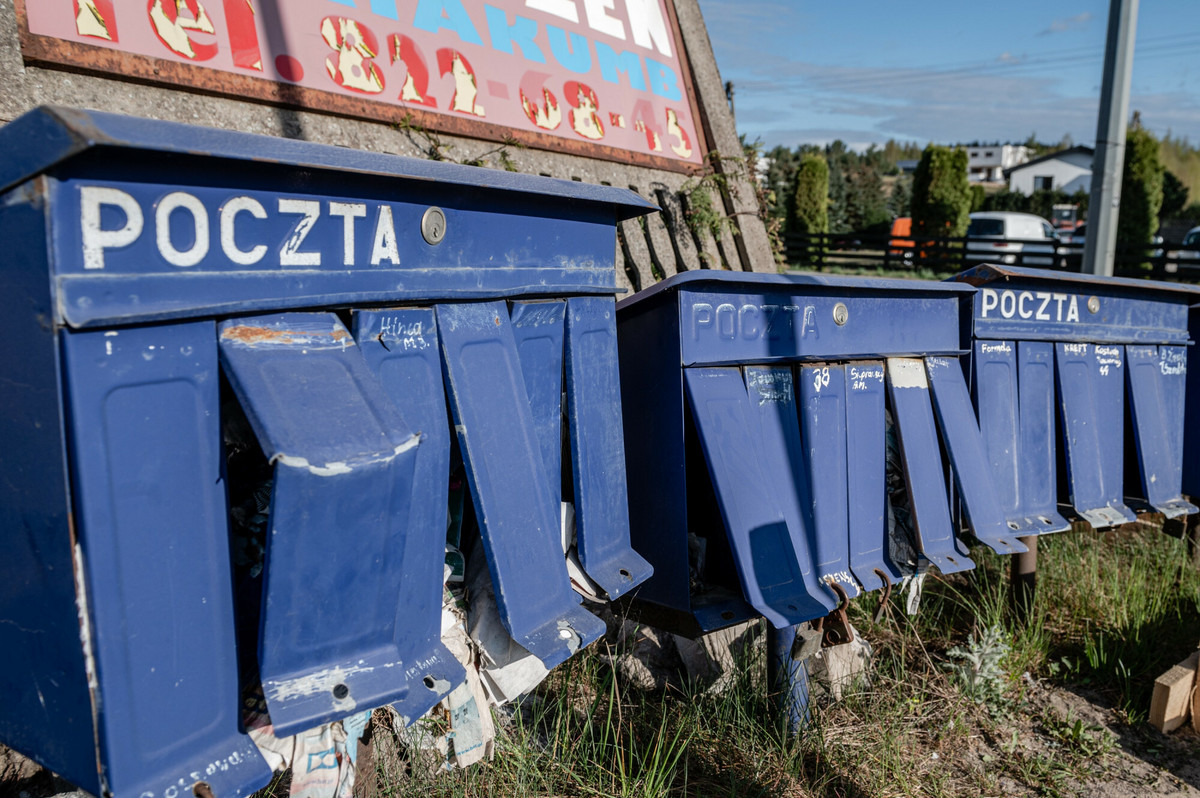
{"points": [[758, 530]]}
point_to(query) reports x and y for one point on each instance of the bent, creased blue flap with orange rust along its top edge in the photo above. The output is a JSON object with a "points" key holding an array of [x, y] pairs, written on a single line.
{"points": [[343, 485]]}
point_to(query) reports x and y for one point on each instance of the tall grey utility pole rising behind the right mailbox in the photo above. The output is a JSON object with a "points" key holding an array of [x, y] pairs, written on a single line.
{"points": [[1111, 139]]}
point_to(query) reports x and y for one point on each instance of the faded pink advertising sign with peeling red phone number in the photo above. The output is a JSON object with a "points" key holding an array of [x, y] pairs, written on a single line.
{"points": [[603, 79]]}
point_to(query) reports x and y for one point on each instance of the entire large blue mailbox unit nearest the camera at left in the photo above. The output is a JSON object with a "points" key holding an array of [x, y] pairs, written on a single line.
{"points": [[239, 373]]}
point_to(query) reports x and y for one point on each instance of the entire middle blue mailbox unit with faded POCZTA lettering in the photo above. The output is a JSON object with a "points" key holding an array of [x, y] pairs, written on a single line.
{"points": [[757, 413]]}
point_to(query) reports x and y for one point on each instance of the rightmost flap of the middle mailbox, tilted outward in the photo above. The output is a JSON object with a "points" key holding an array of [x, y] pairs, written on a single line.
{"points": [[961, 431]]}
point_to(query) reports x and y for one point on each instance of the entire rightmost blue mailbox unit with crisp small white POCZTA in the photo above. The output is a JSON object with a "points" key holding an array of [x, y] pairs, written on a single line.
{"points": [[1079, 383]]}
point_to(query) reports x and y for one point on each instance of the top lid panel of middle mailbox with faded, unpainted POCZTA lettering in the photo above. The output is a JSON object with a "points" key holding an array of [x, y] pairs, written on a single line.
{"points": [[740, 319]]}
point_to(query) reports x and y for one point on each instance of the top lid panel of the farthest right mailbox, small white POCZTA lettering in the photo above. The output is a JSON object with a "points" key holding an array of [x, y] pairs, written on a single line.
{"points": [[1048, 305]]}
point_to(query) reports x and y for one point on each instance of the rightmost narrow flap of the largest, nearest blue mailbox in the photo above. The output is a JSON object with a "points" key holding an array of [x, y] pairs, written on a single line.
{"points": [[598, 448]]}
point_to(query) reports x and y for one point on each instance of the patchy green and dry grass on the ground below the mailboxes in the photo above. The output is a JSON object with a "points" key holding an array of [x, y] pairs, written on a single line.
{"points": [[955, 704]]}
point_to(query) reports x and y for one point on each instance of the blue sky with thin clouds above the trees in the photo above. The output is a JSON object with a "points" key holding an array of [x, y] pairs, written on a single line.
{"points": [[812, 71]]}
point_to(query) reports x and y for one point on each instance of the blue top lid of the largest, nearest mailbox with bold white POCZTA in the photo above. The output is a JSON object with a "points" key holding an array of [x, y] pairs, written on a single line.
{"points": [[153, 221]]}
